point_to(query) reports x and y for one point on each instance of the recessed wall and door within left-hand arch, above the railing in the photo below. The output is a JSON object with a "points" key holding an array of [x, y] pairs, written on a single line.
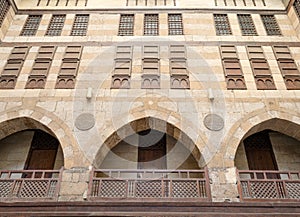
{"points": [[30, 150]]}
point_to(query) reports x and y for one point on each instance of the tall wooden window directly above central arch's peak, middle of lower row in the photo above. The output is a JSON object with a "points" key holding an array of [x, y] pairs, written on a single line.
{"points": [[150, 77]]}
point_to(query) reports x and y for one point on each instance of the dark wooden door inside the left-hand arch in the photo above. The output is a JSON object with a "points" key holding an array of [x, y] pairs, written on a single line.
{"points": [[42, 152]]}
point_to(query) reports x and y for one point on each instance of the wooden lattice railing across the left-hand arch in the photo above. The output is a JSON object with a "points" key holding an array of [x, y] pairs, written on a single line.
{"points": [[29, 184]]}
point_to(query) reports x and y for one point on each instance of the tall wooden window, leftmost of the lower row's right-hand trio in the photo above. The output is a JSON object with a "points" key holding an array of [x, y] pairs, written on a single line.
{"points": [[232, 67]]}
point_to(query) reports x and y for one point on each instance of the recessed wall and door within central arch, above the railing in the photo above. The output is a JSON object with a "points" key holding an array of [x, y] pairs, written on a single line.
{"points": [[150, 149]]}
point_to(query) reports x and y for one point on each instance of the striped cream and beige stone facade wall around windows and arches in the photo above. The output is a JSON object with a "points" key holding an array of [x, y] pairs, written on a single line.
{"points": [[180, 113]]}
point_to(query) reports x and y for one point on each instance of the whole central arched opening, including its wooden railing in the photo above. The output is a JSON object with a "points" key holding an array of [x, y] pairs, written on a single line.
{"points": [[149, 158]]}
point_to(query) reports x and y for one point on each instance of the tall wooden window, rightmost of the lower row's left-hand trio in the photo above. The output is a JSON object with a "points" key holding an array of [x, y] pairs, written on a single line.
{"points": [[69, 68]]}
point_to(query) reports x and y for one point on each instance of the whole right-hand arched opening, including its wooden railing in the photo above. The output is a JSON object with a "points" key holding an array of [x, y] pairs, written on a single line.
{"points": [[268, 161]]}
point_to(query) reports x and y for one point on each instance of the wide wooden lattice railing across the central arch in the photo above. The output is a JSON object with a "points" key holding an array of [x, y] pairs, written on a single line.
{"points": [[149, 184]]}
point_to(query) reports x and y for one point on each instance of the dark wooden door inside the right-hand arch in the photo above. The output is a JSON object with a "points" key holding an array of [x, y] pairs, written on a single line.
{"points": [[259, 151]]}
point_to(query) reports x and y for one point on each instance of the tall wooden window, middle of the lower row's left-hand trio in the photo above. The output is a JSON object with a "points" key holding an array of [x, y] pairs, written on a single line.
{"points": [[41, 66]]}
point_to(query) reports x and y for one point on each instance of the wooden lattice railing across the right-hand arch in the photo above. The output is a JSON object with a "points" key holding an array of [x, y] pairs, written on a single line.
{"points": [[269, 185]]}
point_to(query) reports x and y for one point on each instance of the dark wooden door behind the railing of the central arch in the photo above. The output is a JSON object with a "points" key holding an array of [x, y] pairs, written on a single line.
{"points": [[152, 156]]}
